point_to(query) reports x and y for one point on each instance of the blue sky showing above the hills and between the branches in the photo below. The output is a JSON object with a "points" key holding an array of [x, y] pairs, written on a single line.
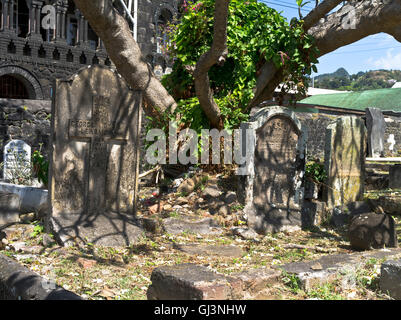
{"points": [[380, 51]]}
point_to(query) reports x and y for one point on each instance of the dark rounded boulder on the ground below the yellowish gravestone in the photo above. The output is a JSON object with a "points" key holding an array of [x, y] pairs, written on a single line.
{"points": [[367, 231]]}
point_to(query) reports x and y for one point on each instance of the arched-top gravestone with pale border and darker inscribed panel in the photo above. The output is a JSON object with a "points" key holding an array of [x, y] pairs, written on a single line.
{"points": [[273, 186]]}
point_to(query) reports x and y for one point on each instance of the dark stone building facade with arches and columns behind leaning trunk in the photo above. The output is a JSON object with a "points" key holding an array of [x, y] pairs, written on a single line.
{"points": [[31, 57]]}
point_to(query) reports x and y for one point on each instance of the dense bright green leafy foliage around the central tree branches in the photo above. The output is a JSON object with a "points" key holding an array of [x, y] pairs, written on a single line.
{"points": [[256, 34]]}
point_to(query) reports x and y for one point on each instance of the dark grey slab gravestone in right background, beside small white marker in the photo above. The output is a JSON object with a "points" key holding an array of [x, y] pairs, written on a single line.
{"points": [[376, 127]]}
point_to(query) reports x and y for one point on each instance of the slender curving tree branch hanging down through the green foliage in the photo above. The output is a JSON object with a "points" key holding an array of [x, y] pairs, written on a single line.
{"points": [[217, 54]]}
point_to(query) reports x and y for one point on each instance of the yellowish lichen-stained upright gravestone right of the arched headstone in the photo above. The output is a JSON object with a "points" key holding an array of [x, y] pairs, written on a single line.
{"points": [[345, 150]]}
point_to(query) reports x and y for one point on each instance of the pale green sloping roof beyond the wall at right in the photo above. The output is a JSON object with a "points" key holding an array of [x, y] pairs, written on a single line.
{"points": [[384, 99]]}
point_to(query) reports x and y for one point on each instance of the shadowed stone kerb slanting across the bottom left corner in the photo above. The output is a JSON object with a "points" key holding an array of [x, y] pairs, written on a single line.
{"points": [[19, 283]]}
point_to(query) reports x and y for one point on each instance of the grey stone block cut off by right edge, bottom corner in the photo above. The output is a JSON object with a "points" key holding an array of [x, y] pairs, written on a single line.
{"points": [[390, 278]]}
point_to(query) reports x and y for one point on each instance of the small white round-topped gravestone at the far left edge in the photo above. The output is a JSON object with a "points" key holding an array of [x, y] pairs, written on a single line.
{"points": [[17, 161]]}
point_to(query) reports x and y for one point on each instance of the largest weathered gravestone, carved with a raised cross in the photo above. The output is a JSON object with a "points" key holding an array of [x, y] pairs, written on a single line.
{"points": [[94, 163]]}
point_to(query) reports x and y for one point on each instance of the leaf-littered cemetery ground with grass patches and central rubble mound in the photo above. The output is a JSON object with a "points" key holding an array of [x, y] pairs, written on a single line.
{"points": [[95, 272]]}
